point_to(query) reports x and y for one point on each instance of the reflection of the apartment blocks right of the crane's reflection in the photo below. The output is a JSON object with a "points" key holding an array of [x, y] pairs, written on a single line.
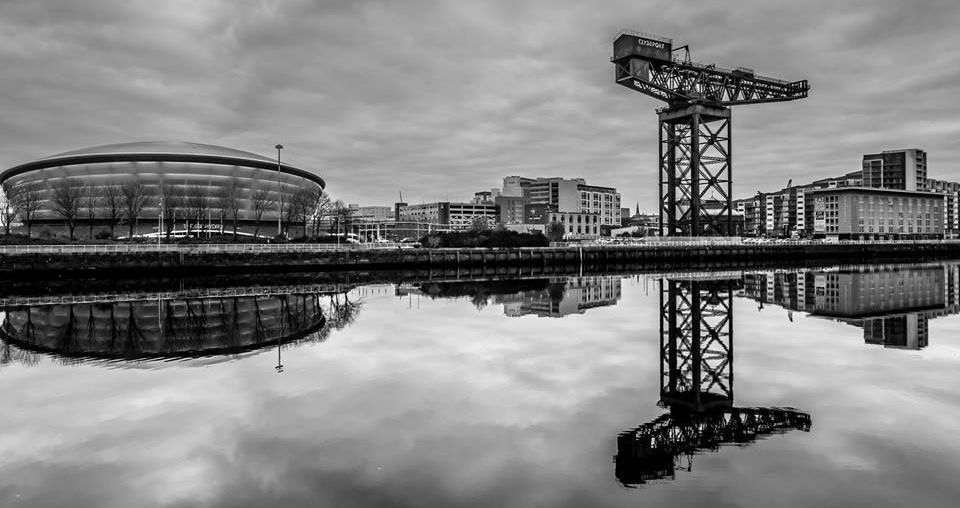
{"points": [[892, 304]]}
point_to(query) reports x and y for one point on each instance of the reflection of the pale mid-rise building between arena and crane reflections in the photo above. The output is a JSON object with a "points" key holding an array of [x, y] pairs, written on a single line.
{"points": [[563, 296]]}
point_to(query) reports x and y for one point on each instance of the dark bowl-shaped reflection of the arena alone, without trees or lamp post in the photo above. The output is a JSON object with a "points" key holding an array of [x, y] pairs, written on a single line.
{"points": [[165, 328]]}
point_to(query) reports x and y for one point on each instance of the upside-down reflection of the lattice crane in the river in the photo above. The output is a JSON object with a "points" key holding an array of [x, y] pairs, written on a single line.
{"points": [[696, 385]]}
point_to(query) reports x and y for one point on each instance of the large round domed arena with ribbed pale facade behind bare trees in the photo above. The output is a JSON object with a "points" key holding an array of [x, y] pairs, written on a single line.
{"points": [[160, 188]]}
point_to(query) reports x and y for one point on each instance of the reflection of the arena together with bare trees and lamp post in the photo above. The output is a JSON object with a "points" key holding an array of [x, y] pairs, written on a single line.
{"points": [[174, 326]]}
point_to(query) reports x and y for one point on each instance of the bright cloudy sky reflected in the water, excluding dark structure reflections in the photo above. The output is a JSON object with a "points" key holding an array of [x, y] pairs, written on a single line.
{"points": [[449, 406]]}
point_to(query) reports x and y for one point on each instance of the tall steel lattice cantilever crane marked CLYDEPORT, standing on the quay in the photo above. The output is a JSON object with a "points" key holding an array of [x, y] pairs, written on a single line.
{"points": [[695, 133]]}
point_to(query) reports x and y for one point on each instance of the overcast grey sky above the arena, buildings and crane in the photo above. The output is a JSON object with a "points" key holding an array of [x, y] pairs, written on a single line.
{"points": [[439, 99]]}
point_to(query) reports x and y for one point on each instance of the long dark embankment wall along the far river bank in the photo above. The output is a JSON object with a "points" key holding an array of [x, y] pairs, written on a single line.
{"points": [[206, 259]]}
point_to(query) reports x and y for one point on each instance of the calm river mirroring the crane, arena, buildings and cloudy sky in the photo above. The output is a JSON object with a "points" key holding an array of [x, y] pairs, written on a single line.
{"points": [[833, 386]]}
